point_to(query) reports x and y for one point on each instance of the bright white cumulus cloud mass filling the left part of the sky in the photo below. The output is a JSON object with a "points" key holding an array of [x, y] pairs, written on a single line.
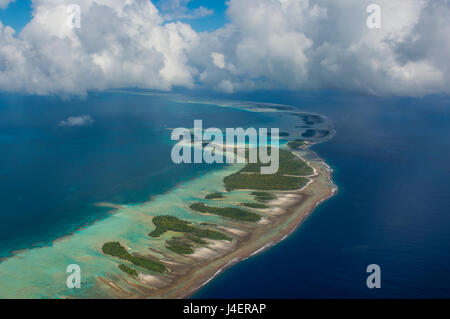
{"points": [[120, 44]]}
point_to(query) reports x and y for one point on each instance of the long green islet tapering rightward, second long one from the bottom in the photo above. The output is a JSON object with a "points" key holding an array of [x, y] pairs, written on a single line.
{"points": [[171, 223]]}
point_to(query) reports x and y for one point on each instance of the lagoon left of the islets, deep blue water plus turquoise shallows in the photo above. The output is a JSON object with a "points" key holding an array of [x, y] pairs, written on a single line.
{"points": [[54, 175]]}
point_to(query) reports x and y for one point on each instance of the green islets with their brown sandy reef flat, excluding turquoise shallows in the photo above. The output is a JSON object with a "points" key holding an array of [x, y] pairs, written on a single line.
{"points": [[191, 253]]}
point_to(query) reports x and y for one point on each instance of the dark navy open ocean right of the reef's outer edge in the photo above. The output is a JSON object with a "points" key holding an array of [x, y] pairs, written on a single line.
{"points": [[391, 160]]}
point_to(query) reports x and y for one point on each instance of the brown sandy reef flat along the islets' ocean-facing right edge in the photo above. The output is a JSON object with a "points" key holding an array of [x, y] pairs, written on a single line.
{"points": [[286, 213]]}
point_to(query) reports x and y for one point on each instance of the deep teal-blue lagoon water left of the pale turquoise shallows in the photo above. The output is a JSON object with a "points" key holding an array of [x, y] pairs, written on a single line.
{"points": [[51, 176]]}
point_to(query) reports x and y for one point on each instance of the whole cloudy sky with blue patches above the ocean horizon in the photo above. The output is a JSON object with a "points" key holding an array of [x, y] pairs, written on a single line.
{"points": [[225, 46]]}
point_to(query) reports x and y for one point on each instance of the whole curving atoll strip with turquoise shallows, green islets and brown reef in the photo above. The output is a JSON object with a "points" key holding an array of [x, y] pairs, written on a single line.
{"points": [[174, 243]]}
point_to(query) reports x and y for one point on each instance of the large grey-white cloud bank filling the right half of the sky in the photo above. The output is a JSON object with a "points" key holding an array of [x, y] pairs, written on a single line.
{"points": [[302, 44]]}
